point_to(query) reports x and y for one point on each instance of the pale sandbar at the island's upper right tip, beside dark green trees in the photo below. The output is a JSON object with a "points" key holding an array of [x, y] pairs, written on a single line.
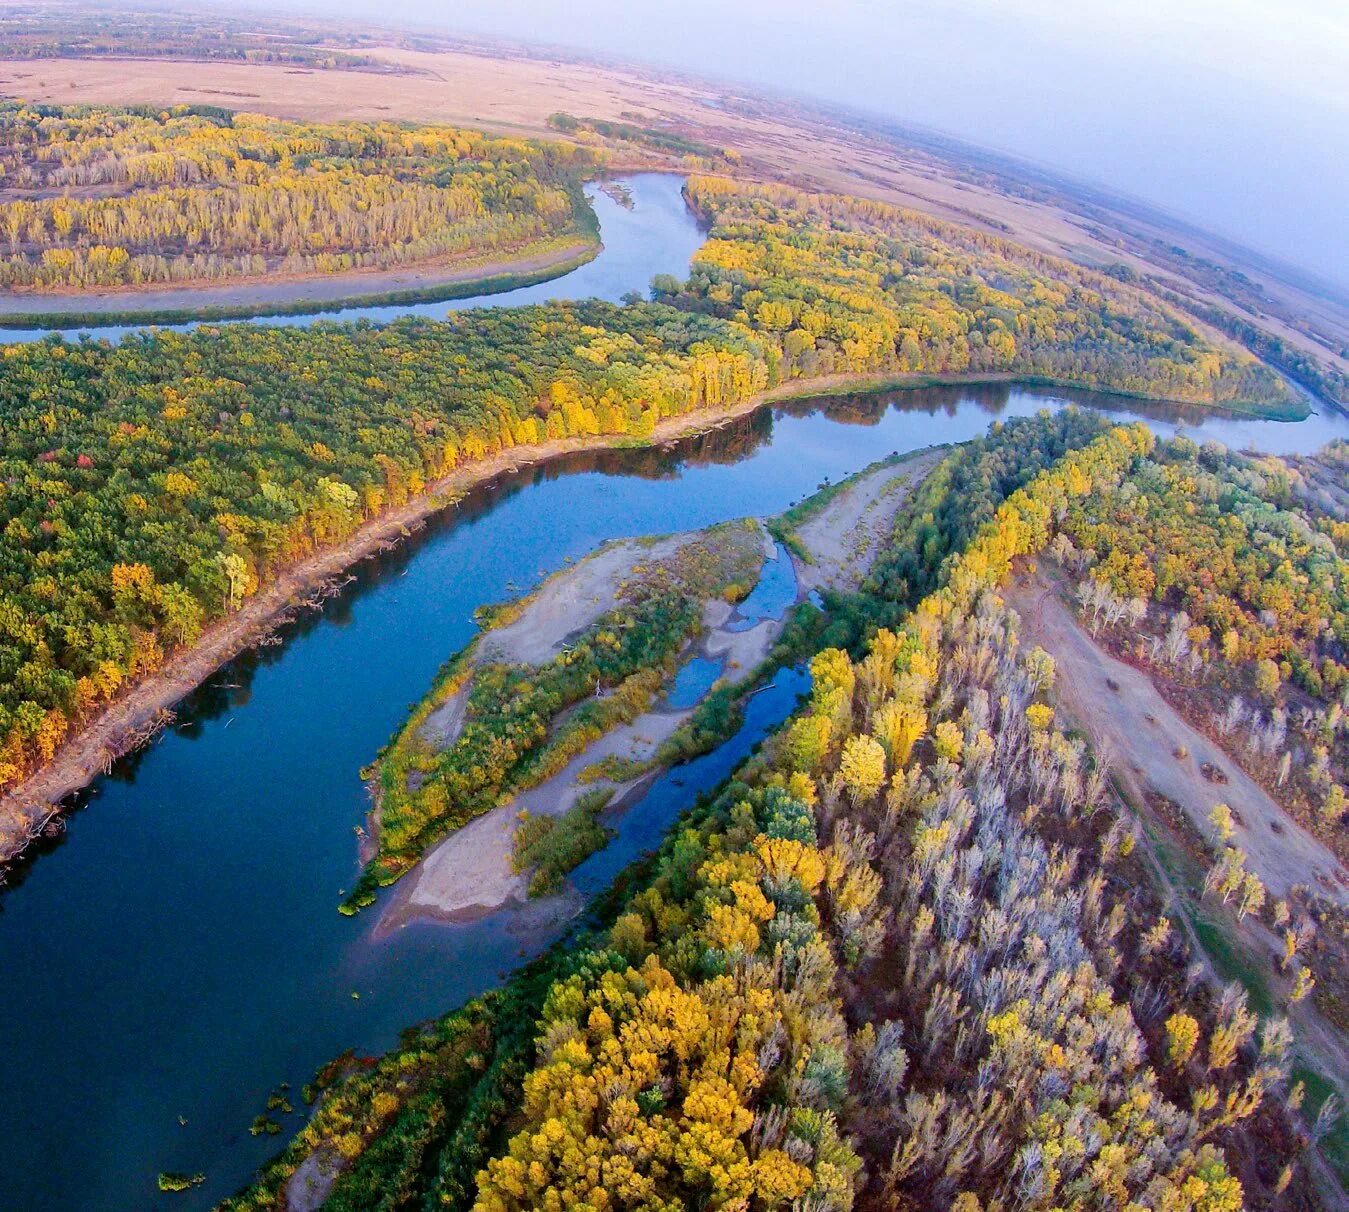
{"points": [[844, 538]]}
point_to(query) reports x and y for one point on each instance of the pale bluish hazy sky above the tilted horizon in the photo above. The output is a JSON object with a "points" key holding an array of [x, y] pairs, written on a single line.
{"points": [[1231, 113]]}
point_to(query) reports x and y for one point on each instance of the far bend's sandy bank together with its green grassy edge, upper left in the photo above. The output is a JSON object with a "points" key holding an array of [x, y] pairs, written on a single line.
{"points": [[536, 264]]}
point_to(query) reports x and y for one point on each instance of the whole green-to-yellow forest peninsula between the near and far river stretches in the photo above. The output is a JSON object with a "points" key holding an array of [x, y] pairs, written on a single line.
{"points": [[150, 488]]}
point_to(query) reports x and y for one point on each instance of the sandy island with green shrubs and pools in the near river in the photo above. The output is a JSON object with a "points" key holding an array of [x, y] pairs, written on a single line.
{"points": [[474, 871]]}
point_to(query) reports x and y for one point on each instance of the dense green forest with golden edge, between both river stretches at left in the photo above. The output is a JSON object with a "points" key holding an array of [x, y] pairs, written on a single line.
{"points": [[148, 489]]}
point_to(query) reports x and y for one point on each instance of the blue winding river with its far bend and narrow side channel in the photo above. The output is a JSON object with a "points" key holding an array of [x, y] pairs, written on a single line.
{"points": [[177, 955]]}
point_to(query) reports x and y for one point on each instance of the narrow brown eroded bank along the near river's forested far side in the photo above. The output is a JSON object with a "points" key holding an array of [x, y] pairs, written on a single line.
{"points": [[34, 805]]}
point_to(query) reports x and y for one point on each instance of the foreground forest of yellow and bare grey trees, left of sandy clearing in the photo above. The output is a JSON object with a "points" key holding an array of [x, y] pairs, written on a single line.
{"points": [[910, 956]]}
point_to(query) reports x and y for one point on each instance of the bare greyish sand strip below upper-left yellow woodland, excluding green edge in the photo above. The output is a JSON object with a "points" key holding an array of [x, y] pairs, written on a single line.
{"points": [[280, 292]]}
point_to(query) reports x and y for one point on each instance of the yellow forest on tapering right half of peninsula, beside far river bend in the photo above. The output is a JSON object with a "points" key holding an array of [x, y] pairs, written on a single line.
{"points": [[845, 287]]}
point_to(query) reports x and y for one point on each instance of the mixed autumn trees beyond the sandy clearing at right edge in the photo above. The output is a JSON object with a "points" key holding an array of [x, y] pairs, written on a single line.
{"points": [[1228, 576]]}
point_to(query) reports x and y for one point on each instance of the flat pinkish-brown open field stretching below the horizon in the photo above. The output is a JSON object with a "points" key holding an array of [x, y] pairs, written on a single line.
{"points": [[513, 94]]}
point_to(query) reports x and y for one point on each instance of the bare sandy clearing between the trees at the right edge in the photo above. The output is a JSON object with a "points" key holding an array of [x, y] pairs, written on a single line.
{"points": [[1139, 732]]}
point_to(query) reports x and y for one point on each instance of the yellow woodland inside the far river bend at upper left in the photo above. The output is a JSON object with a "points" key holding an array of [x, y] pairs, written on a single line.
{"points": [[130, 198]]}
